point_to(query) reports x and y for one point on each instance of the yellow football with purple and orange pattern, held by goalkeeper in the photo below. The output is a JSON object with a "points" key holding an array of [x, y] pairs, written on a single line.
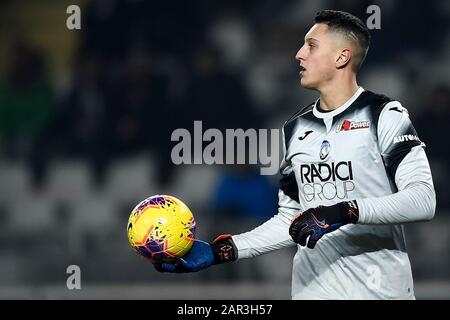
{"points": [[161, 228]]}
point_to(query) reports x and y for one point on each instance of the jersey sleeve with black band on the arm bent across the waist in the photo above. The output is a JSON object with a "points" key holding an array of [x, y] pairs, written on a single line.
{"points": [[405, 160]]}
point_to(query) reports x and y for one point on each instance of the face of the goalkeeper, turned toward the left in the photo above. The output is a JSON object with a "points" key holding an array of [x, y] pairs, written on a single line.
{"points": [[317, 57]]}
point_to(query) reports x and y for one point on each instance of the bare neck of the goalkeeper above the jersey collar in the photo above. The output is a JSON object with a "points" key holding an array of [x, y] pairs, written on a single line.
{"points": [[334, 96]]}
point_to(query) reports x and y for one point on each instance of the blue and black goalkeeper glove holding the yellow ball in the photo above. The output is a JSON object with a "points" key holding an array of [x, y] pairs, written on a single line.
{"points": [[203, 255]]}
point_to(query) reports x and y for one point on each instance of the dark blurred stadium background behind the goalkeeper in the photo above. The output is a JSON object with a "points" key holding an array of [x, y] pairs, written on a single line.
{"points": [[86, 117]]}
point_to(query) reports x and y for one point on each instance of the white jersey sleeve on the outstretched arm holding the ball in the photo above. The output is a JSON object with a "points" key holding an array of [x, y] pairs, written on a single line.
{"points": [[274, 233]]}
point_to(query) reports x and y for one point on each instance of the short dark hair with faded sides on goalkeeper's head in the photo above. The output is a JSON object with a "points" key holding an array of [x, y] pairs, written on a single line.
{"points": [[349, 25]]}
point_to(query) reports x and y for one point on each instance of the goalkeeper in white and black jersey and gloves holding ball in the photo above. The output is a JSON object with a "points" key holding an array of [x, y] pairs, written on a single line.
{"points": [[354, 170]]}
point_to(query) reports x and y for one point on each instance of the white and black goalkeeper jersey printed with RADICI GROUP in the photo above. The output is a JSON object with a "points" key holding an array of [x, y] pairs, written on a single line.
{"points": [[366, 150]]}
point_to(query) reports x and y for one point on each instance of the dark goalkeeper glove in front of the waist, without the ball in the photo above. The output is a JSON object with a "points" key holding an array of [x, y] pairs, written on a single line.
{"points": [[316, 222]]}
